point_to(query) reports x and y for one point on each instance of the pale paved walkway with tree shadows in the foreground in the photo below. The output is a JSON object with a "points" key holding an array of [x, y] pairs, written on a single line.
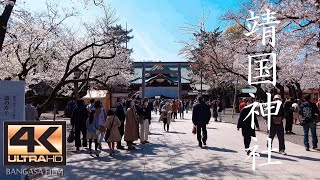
{"points": [[175, 155]]}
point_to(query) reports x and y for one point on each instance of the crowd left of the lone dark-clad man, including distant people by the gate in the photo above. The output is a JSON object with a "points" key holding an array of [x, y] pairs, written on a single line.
{"points": [[129, 121]]}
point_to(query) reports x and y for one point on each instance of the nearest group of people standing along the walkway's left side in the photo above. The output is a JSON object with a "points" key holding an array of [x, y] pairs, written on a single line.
{"points": [[95, 125]]}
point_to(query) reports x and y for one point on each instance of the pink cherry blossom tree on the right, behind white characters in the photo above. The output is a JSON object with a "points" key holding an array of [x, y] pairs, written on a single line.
{"points": [[296, 39]]}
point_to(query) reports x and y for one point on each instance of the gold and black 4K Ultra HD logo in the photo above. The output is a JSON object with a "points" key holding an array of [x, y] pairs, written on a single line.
{"points": [[35, 143]]}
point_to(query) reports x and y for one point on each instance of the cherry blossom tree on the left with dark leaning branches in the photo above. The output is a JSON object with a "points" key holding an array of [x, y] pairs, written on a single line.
{"points": [[43, 48]]}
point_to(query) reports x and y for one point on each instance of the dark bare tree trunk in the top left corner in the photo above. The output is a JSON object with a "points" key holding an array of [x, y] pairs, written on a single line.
{"points": [[4, 18]]}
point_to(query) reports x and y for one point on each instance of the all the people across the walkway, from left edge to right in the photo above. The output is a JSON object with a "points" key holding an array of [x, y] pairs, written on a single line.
{"points": [[131, 120]]}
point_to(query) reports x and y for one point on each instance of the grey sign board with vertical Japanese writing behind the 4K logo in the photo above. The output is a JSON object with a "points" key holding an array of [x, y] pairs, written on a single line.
{"points": [[12, 105]]}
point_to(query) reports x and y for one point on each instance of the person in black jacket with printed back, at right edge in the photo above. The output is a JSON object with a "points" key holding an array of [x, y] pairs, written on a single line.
{"points": [[308, 111]]}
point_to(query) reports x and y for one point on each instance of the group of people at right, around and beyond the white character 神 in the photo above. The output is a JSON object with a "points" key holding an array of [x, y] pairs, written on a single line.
{"points": [[292, 111]]}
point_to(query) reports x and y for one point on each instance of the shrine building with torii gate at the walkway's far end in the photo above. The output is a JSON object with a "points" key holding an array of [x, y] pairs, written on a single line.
{"points": [[164, 79]]}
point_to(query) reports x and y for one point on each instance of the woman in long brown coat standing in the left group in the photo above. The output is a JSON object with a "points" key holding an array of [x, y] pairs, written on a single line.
{"points": [[131, 132]]}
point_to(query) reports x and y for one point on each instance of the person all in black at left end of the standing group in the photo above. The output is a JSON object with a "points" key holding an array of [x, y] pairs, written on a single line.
{"points": [[78, 122]]}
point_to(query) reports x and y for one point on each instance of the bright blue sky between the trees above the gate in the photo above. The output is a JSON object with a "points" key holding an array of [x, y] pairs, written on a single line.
{"points": [[156, 23]]}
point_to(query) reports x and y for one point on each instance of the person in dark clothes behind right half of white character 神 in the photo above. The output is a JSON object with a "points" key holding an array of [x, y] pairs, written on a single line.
{"points": [[276, 126]]}
